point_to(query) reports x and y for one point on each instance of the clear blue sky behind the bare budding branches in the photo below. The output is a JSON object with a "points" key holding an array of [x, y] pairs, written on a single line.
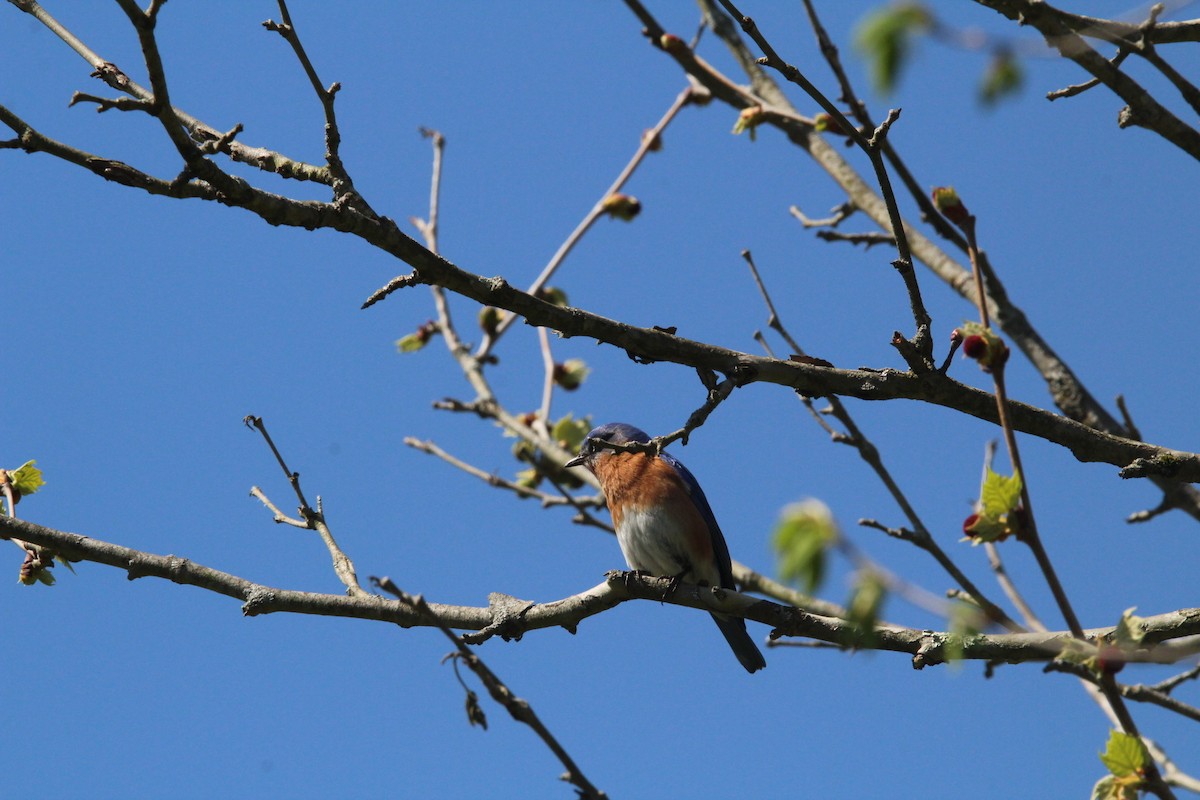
{"points": [[143, 330]]}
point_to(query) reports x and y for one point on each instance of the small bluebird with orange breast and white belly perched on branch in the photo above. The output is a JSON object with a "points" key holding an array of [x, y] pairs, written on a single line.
{"points": [[664, 524]]}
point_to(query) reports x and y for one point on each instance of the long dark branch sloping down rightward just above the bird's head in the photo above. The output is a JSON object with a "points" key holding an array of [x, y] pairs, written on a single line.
{"points": [[1137, 459]]}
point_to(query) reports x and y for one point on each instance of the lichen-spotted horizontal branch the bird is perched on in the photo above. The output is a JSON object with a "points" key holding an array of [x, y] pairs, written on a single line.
{"points": [[928, 648]]}
